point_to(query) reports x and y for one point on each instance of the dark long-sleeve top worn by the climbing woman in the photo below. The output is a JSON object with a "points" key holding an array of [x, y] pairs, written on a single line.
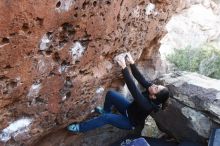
{"points": [[142, 106]]}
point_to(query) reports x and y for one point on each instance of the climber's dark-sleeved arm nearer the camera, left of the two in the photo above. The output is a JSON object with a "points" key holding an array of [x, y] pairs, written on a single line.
{"points": [[142, 101]]}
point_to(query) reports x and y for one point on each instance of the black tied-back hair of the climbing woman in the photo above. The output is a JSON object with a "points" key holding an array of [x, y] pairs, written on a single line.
{"points": [[162, 98]]}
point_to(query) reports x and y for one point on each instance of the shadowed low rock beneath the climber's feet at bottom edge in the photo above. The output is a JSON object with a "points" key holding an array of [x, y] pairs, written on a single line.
{"points": [[99, 137]]}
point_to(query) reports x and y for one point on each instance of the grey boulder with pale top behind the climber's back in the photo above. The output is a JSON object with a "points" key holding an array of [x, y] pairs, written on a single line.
{"points": [[194, 108]]}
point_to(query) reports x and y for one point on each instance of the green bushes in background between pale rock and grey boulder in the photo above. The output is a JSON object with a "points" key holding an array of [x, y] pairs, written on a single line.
{"points": [[204, 60]]}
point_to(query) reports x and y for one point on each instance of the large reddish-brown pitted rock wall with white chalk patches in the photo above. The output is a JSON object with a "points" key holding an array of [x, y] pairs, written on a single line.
{"points": [[56, 59]]}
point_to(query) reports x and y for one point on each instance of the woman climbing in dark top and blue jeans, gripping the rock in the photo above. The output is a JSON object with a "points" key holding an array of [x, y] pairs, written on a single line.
{"points": [[131, 114]]}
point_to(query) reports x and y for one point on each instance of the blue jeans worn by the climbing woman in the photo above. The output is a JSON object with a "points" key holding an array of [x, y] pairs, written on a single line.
{"points": [[118, 120]]}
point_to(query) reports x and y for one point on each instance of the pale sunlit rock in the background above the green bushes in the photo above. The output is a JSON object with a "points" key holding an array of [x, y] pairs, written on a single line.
{"points": [[196, 23]]}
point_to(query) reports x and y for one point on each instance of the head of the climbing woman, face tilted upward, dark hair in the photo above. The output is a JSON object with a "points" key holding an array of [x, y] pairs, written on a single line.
{"points": [[159, 94]]}
